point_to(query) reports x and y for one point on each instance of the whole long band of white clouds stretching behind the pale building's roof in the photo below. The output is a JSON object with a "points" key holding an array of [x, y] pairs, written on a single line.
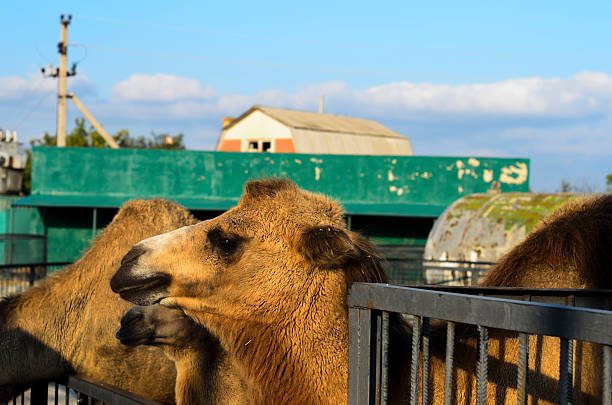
{"points": [[582, 95]]}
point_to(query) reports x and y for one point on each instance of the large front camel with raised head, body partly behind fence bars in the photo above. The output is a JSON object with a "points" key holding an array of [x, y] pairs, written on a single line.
{"points": [[269, 278]]}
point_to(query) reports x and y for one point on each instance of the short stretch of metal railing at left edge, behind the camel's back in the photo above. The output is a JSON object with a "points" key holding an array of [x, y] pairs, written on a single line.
{"points": [[15, 278]]}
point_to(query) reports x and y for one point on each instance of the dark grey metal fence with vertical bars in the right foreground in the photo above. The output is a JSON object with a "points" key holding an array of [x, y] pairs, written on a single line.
{"points": [[370, 305]]}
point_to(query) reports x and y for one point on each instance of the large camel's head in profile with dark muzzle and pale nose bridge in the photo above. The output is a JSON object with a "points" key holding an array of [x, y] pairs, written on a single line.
{"points": [[275, 250]]}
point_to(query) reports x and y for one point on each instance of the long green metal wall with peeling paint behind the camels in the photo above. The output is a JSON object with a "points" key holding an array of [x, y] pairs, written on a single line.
{"points": [[392, 199]]}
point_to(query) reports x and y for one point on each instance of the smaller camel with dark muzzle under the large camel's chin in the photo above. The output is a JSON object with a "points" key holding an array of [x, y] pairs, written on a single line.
{"points": [[205, 373]]}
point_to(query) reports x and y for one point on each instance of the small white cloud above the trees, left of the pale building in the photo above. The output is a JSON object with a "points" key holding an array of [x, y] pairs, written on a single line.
{"points": [[160, 88]]}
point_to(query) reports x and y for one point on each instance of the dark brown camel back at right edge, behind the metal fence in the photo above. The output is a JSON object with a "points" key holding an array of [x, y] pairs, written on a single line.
{"points": [[570, 248]]}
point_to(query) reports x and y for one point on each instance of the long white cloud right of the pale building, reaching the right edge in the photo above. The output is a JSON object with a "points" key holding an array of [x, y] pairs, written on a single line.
{"points": [[580, 95]]}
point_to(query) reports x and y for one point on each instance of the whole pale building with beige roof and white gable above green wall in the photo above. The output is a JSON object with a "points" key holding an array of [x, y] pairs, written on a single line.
{"points": [[264, 129]]}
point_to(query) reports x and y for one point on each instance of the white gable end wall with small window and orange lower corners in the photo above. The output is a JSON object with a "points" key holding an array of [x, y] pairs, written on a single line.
{"points": [[257, 126]]}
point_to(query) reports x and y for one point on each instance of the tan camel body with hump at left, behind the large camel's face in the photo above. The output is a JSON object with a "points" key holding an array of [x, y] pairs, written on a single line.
{"points": [[65, 324]]}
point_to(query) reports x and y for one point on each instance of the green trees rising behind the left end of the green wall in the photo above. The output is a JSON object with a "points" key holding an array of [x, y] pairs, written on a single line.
{"points": [[80, 136]]}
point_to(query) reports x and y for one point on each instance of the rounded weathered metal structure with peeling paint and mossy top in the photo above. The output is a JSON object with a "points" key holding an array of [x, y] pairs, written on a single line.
{"points": [[483, 227]]}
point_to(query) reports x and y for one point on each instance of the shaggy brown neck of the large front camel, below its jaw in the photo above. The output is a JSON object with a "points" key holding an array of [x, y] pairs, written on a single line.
{"points": [[286, 363]]}
